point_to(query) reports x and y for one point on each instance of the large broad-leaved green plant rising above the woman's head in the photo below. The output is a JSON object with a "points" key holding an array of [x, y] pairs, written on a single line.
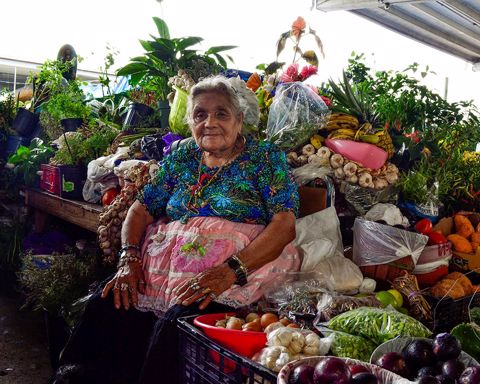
{"points": [[164, 56]]}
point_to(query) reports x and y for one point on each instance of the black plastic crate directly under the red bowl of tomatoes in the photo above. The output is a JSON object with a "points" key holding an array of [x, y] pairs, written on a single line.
{"points": [[202, 361]]}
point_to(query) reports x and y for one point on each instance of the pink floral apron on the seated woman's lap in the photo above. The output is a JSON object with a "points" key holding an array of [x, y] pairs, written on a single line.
{"points": [[174, 252]]}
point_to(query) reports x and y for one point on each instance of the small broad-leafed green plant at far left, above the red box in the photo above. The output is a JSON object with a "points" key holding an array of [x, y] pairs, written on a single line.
{"points": [[27, 160]]}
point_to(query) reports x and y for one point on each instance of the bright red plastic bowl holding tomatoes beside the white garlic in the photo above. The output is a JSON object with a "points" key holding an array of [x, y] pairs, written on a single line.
{"points": [[245, 343]]}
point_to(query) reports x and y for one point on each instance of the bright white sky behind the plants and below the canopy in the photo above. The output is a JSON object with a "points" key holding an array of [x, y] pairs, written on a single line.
{"points": [[34, 30]]}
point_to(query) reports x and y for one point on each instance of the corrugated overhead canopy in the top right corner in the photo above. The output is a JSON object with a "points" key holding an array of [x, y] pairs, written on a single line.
{"points": [[448, 25]]}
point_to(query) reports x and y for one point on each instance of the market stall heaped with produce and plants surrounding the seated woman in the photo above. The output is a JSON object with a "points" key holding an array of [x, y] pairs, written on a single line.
{"points": [[389, 226]]}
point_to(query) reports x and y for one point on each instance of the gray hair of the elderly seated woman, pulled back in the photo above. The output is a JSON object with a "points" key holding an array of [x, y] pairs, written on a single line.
{"points": [[241, 98]]}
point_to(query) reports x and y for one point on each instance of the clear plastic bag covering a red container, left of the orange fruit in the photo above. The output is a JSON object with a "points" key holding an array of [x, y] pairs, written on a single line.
{"points": [[375, 243]]}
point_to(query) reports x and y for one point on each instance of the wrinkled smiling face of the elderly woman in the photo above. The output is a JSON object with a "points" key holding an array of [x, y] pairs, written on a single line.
{"points": [[215, 126]]}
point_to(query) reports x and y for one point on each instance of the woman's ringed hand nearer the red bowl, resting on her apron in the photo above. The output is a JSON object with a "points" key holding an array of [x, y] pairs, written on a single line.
{"points": [[207, 285]]}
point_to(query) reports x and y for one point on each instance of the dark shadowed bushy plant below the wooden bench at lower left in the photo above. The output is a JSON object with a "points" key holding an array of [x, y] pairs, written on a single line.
{"points": [[54, 282]]}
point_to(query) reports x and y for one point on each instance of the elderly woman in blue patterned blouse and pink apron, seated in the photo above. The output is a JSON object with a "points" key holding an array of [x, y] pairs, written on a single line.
{"points": [[210, 230]]}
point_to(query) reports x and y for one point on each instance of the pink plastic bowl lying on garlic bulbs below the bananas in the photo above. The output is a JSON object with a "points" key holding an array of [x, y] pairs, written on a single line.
{"points": [[369, 155]]}
